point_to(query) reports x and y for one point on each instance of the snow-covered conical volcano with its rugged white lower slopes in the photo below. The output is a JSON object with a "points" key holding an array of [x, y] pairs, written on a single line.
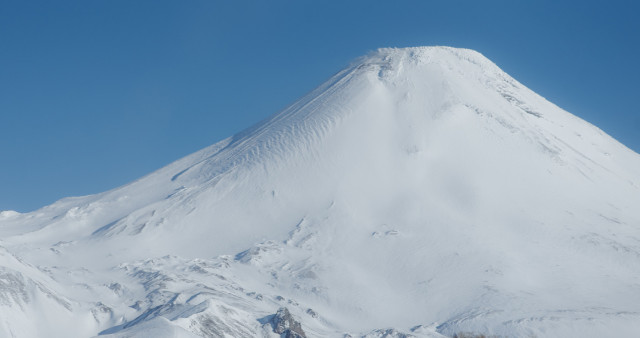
{"points": [[420, 191]]}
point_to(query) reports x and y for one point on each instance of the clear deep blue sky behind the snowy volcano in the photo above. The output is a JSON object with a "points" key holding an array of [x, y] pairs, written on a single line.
{"points": [[96, 93]]}
